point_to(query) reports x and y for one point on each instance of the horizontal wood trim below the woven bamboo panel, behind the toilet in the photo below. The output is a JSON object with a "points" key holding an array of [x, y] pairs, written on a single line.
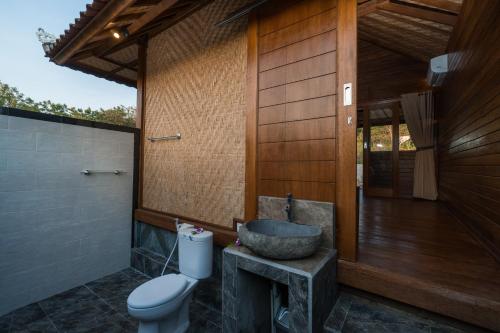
{"points": [[223, 236]]}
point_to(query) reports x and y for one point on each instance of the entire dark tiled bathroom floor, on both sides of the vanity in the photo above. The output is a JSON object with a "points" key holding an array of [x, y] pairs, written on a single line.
{"points": [[100, 306]]}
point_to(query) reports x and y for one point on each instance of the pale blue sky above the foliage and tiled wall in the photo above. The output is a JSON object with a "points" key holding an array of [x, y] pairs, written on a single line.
{"points": [[24, 65]]}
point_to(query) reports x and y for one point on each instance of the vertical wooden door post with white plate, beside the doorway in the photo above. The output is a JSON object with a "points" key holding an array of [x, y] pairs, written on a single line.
{"points": [[347, 226]]}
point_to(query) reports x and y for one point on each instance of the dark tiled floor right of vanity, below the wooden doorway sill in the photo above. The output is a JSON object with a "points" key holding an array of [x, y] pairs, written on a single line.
{"points": [[357, 312]]}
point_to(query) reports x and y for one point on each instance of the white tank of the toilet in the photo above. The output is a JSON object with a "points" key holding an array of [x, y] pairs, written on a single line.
{"points": [[195, 253]]}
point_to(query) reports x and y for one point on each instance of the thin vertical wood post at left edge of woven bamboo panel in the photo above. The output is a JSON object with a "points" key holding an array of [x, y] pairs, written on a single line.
{"points": [[141, 109]]}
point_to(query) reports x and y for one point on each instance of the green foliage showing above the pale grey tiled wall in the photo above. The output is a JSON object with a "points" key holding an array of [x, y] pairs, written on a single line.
{"points": [[119, 115]]}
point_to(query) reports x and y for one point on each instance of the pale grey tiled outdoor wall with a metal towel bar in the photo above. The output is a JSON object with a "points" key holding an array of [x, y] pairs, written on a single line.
{"points": [[59, 228]]}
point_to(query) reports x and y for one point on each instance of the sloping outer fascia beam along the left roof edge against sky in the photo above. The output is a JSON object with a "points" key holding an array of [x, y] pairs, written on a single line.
{"points": [[98, 22]]}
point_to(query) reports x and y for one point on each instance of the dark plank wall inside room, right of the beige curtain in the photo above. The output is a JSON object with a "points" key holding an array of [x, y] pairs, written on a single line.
{"points": [[469, 123]]}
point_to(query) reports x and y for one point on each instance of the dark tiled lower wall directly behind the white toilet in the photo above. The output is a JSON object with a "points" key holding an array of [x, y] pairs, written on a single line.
{"points": [[152, 246]]}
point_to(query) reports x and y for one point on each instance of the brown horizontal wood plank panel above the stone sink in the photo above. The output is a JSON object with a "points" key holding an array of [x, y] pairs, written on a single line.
{"points": [[297, 88]]}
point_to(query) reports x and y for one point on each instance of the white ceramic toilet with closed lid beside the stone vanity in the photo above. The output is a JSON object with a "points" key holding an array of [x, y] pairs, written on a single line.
{"points": [[162, 304]]}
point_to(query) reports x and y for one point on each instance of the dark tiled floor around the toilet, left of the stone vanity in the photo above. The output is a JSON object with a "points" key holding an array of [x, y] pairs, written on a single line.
{"points": [[98, 306]]}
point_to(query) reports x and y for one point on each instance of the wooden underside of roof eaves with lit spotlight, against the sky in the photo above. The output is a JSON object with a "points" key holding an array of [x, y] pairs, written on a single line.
{"points": [[89, 46]]}
